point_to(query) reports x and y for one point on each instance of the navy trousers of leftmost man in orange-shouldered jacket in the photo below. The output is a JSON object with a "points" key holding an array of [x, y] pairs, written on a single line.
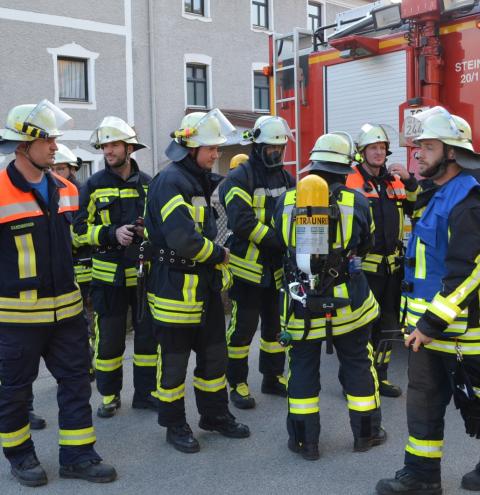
{"points": [[64, 348]]}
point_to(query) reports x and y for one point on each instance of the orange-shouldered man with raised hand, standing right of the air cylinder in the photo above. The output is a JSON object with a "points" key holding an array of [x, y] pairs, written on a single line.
{"points": [[391, 193]]}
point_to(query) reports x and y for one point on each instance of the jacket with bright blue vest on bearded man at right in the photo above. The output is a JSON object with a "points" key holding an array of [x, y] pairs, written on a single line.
{"points": [[442, 267]]}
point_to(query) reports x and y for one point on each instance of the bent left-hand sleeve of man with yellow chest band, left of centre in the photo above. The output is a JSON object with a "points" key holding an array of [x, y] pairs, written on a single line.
{"points": [[85, 230]]}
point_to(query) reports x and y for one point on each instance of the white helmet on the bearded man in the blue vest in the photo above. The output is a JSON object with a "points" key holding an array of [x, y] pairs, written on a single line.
{"points": [[439, 123]]}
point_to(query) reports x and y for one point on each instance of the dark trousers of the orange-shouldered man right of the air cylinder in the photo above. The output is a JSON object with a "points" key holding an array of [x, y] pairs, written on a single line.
{"points": [[386, 289]]}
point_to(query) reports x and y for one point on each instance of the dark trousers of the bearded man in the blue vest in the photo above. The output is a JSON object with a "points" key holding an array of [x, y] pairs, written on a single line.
{"points": [[430, 389]]}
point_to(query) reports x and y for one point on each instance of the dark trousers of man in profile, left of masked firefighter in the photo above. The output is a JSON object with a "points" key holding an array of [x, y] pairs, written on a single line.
{"points": [[209, 382]]}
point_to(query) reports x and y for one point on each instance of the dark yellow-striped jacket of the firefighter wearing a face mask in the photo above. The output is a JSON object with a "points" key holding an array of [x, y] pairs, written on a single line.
{"points": [[249, 195]]}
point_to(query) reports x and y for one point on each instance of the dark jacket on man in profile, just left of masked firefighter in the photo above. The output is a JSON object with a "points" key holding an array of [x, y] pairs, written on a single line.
{"points": [[181, 225]]}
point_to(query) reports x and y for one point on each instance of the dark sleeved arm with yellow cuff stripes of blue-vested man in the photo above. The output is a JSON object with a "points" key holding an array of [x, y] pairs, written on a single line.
{"points": [[462, 280]]}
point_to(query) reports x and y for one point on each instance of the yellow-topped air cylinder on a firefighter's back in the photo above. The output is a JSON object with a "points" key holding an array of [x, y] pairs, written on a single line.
{"points": [[311, 222]]}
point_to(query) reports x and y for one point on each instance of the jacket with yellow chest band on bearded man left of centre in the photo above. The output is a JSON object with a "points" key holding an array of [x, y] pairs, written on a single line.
{"points": [[107, 202]]}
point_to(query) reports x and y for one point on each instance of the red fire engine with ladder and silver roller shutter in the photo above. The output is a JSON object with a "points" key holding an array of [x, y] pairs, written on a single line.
{"points": [[379, 63]]}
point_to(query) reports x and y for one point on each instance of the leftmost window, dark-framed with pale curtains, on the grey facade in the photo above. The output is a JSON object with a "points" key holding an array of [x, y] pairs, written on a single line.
{"points": [[72, 79]]}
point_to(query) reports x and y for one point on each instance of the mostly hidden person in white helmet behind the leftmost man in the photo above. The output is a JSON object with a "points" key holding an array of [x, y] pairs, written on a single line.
{"points": [[67, 165]]}
